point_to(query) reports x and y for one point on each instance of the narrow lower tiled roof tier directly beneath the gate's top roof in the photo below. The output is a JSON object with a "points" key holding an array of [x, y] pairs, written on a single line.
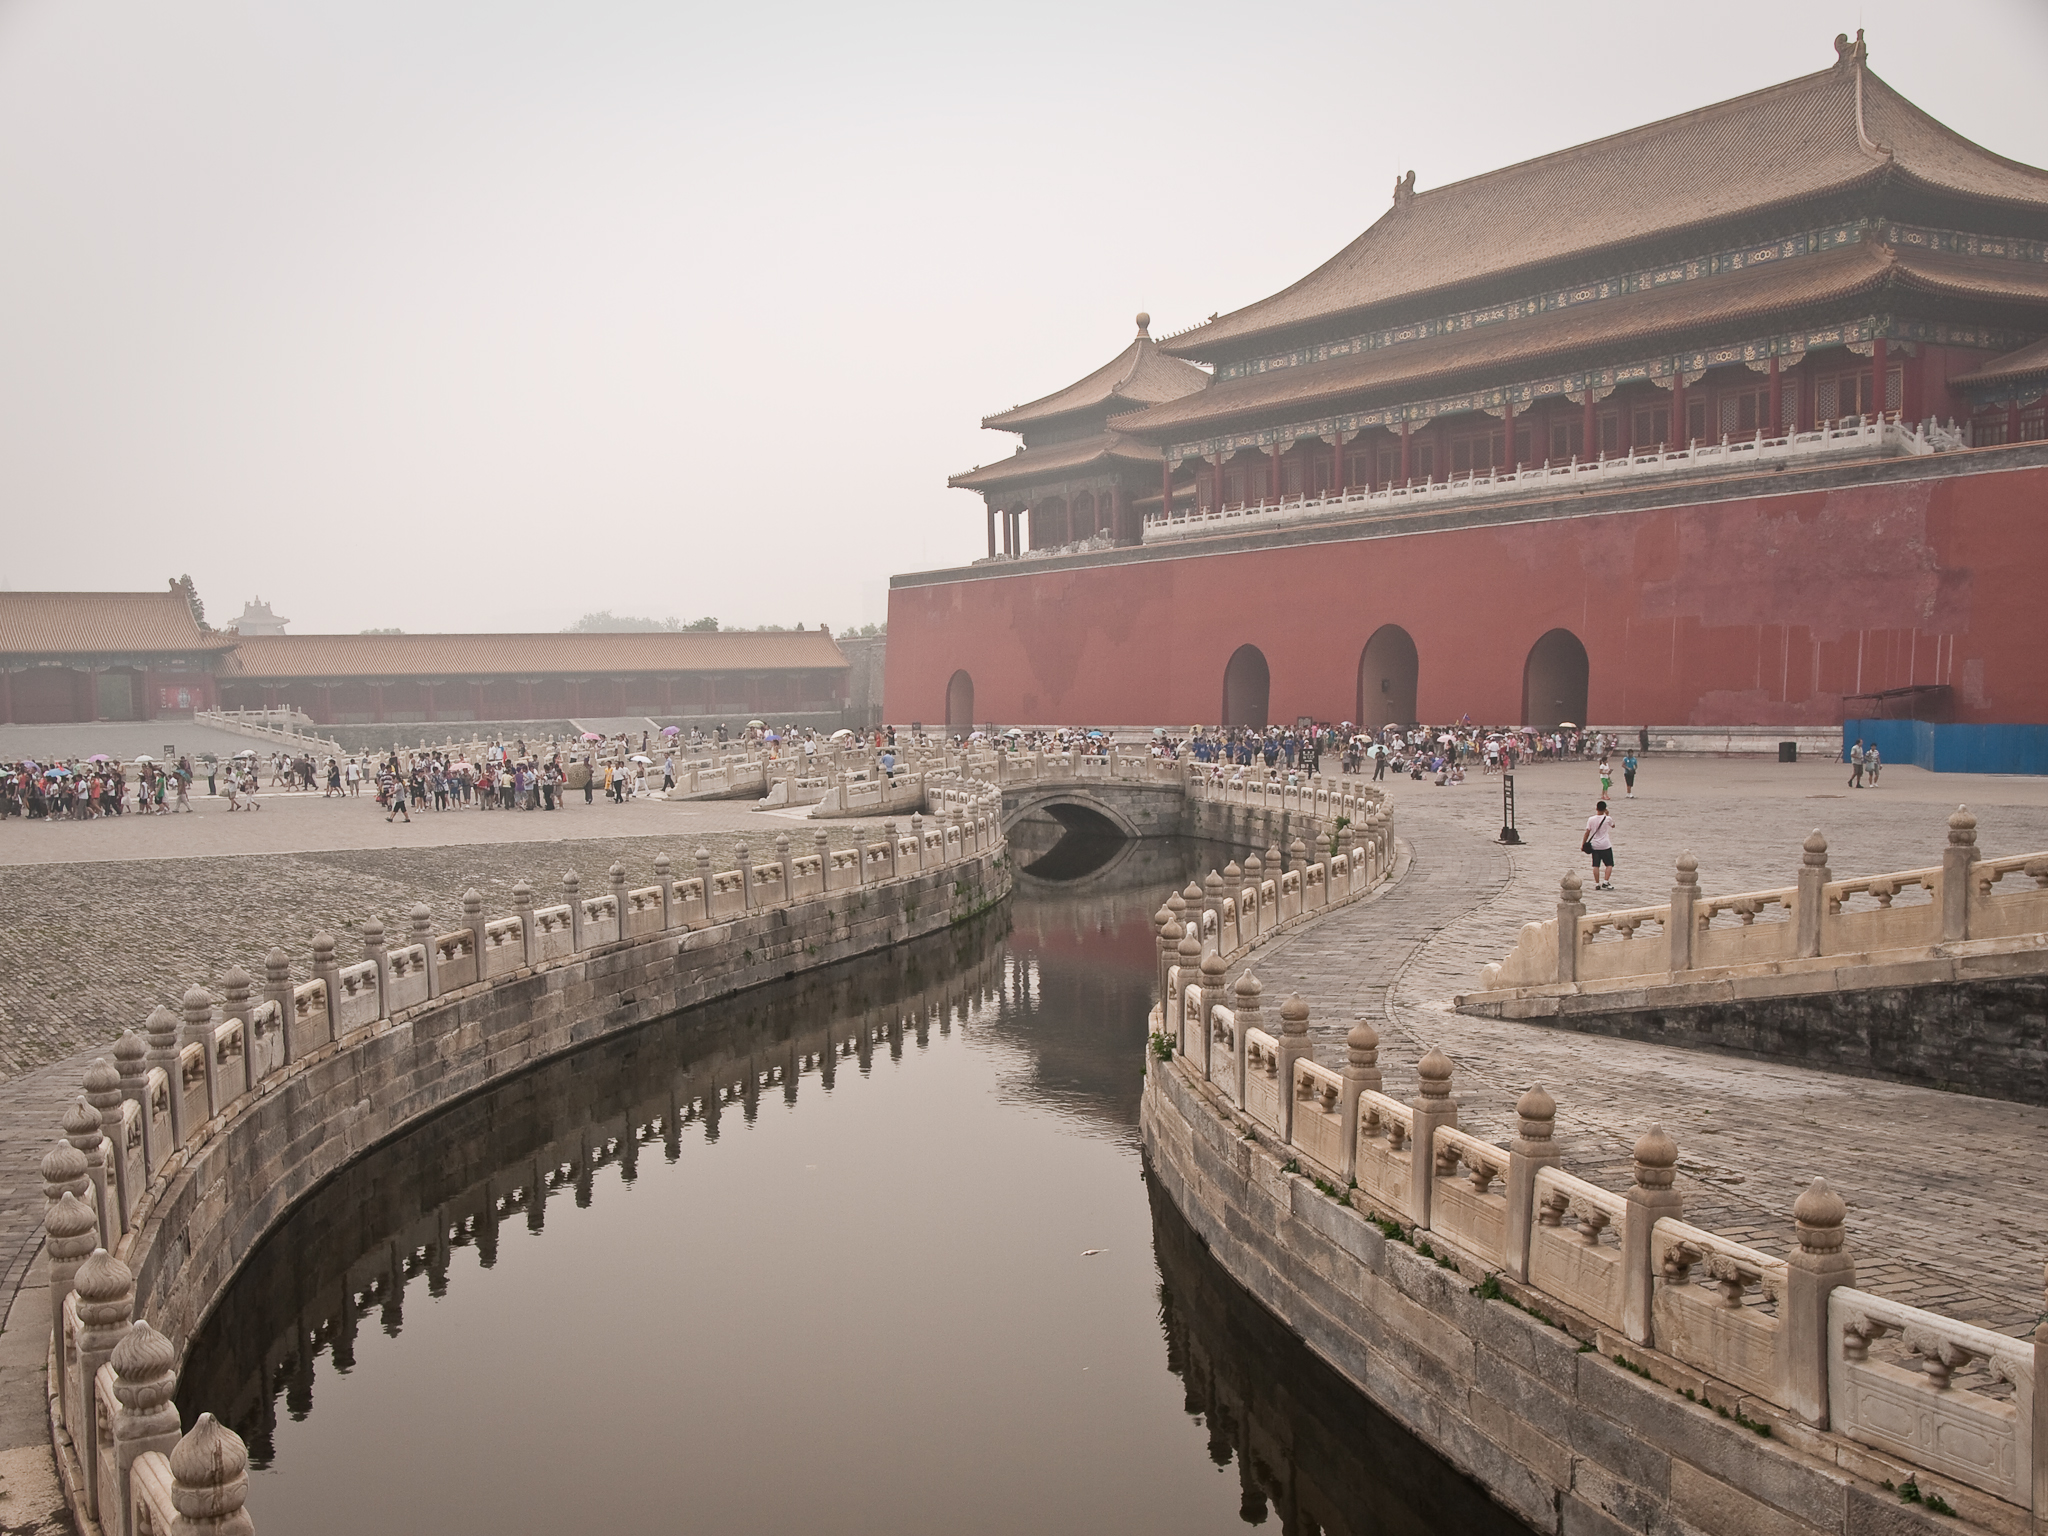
{"points": [[1635, 321]]}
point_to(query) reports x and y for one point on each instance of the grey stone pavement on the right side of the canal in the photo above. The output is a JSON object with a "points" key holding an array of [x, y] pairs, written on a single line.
{"points": [[1947, 1207]]}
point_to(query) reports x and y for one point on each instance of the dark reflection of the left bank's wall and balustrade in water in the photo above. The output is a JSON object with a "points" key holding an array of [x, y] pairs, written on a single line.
{"points": [[402, 1213]]}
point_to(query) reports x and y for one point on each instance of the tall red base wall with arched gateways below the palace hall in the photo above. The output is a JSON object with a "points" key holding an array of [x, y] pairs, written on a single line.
{"points": [[1758, 611]]}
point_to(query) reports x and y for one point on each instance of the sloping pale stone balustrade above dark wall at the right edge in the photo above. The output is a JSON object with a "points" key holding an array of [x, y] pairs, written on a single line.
{"points": [[1932, 976]]}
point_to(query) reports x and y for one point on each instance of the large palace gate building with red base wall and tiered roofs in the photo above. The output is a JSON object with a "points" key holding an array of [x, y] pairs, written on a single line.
{"points": [[1732, 419]]}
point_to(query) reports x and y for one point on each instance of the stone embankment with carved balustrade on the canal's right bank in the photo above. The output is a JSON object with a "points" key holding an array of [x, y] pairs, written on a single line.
{"points": [[1594, 1361]]}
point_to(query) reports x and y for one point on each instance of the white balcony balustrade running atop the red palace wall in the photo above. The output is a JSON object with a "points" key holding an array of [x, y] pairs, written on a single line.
{"points": [[1836, 439]]}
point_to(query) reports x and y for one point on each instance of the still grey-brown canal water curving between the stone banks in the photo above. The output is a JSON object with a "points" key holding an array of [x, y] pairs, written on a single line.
{"points": [[871, 1250]]}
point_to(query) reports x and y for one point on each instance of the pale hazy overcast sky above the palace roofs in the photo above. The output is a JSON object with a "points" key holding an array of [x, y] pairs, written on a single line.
{"points": [[482, 316]]}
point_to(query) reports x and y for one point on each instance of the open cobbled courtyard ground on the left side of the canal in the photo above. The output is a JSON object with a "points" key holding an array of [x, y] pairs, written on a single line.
{"points": [[146, 906]]}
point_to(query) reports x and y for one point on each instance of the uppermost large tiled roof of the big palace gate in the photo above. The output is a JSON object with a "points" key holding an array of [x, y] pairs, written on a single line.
{"points": [[1777, 146]]}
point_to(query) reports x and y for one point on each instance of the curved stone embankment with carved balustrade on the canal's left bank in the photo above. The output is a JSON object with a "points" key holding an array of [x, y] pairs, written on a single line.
{"points": [[187, 1150]]}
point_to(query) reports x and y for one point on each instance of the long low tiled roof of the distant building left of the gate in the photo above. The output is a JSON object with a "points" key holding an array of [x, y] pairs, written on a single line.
{"points": [[472, 656]]}
